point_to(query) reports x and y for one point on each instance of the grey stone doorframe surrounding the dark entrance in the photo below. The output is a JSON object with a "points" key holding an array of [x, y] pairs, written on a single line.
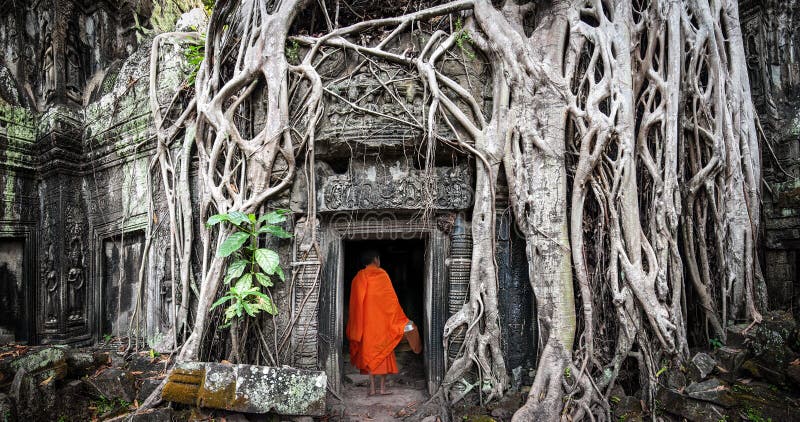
{"points": [[333, 232]]}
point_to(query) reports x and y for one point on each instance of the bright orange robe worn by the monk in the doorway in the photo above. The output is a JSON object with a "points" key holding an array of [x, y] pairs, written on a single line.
{"points": [[376, 322]]}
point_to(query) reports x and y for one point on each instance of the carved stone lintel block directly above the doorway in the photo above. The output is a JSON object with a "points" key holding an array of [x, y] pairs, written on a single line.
{"points": [[394, 188]]}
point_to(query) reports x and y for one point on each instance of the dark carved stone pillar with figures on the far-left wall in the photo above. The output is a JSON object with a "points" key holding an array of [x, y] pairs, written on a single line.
{"points": [[63, 302]]}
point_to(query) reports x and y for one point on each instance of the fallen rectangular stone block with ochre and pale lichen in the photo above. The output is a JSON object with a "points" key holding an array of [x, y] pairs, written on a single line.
{"points": [[248, 388]]}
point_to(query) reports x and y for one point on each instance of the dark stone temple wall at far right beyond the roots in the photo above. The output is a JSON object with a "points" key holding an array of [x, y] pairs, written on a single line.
{"points": [[771, 31]]}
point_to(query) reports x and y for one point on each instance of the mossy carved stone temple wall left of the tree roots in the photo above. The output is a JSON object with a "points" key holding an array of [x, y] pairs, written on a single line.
{"points": [[75, 144]]}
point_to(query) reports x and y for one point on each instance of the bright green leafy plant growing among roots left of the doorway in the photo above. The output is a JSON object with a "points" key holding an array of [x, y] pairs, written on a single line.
{"points": [[251, 266]]}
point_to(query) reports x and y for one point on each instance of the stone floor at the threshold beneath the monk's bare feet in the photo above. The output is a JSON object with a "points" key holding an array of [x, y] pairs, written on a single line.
{"points": [[408, 392]]}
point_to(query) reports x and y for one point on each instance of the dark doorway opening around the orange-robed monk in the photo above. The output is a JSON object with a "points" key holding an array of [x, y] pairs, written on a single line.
{"points": [[404, 261]]}
